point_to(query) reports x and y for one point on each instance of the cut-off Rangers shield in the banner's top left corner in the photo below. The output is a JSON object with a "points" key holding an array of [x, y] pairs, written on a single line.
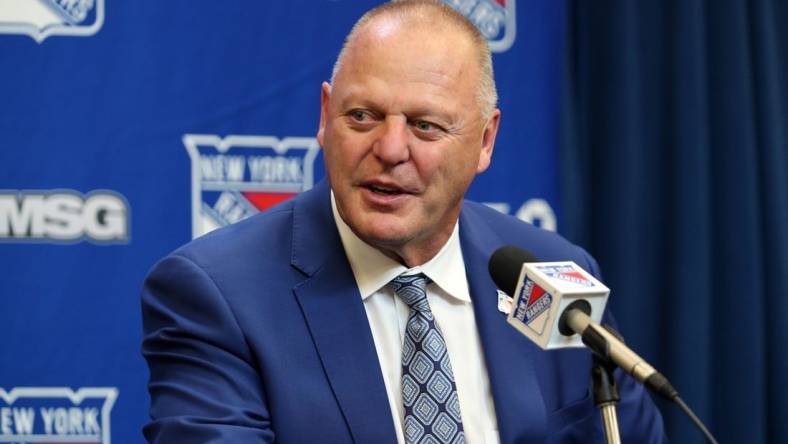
{"points": [[42, 18]]}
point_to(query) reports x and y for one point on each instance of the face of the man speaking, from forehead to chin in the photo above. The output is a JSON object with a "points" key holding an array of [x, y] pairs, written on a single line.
{"points": [[403, 136]]}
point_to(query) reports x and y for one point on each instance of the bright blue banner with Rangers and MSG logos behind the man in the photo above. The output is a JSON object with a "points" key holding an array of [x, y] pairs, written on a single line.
{"points": [[129, 127]]}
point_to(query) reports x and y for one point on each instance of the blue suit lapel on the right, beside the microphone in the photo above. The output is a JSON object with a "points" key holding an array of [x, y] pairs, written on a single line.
{"points": [[509, 356]]}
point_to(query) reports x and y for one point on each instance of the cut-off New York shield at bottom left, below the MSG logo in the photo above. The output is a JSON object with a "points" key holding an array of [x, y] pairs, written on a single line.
{"points": [[56, 415]]}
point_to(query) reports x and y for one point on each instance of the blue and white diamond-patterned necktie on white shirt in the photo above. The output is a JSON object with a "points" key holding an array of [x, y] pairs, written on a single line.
{"points": [[432, 409]]}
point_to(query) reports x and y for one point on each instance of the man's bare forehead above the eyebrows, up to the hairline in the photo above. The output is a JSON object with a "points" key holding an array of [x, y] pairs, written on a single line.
{"points": [[391, 54]]}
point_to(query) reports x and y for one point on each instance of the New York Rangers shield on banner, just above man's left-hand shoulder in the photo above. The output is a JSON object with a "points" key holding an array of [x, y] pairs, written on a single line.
{"points": [[238, 176]]}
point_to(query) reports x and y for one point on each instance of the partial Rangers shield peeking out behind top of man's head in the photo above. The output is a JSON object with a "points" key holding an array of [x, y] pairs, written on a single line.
{"points": [[495, 19]]}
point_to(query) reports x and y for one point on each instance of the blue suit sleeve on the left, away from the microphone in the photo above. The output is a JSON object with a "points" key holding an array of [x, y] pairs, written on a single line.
{"points": [[204, 386]]}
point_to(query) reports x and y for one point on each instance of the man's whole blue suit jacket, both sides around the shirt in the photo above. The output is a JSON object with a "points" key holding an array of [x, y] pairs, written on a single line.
{"points": [[257, 332]]}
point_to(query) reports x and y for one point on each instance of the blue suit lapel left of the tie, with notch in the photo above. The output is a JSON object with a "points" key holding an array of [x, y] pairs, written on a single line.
{"points": [[337, 321]]}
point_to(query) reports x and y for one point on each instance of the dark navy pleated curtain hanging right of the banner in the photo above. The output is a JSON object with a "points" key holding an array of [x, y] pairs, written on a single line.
{"points": [[675, 176]]}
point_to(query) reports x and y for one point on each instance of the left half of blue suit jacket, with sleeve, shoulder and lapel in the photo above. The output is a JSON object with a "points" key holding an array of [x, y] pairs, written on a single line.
{"points": [[256, 332]]}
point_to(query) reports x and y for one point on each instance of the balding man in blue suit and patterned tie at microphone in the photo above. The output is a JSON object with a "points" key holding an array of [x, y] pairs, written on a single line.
{"points": [[361, 310]]}
